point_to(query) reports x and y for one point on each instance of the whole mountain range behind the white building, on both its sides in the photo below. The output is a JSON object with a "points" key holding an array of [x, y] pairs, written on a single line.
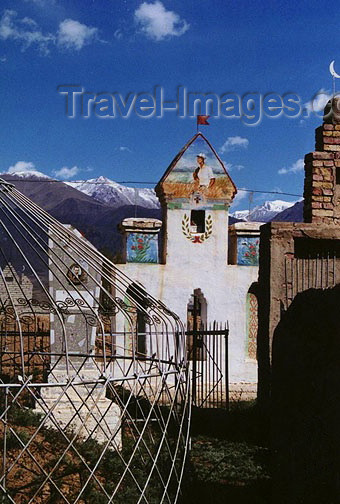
{"points": [[97, 206]]}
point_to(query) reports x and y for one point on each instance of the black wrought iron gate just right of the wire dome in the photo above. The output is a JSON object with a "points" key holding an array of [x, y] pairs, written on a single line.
{"points": [[208, 353]]}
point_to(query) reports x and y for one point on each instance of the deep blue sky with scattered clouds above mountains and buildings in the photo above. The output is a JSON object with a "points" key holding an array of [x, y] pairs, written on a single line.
{"points": [[130, 46]]}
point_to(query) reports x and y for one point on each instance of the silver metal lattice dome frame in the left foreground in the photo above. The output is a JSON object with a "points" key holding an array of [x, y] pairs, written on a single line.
{"points": [[94, 401]]}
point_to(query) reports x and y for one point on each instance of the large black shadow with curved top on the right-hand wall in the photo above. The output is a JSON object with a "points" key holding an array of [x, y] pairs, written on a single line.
{"points": [[306, 400]]}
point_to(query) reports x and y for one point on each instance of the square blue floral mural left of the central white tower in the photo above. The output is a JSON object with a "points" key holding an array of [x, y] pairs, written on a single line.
{"points": [[142, 248]]}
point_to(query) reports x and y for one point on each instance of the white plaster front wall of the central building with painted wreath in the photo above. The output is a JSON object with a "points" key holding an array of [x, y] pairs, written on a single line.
{"points": [[203, 266]]}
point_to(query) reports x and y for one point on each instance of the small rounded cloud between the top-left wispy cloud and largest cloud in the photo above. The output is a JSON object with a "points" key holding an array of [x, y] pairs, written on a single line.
{"points": [[75, 35]]}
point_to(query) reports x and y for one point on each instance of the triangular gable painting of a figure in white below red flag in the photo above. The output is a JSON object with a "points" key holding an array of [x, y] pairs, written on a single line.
{"points": [[198, 174]]}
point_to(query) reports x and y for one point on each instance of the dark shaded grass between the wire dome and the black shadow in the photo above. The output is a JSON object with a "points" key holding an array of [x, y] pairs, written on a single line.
{"points": [[229, 459]]}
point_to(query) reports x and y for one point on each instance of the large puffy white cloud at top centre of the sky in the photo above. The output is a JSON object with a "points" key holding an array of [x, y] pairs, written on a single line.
{"points": [[157, 23]]}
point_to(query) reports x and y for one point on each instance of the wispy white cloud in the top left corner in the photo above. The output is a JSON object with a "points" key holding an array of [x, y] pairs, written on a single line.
{"points": [[25, 31]]}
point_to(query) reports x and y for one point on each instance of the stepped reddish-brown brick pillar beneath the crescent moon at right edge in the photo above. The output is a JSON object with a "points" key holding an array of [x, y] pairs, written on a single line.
{"points": [[322, 174]]}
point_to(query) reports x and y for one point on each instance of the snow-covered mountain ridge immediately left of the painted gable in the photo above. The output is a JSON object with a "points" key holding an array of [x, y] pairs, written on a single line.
{"points": [[107, 191]]}
